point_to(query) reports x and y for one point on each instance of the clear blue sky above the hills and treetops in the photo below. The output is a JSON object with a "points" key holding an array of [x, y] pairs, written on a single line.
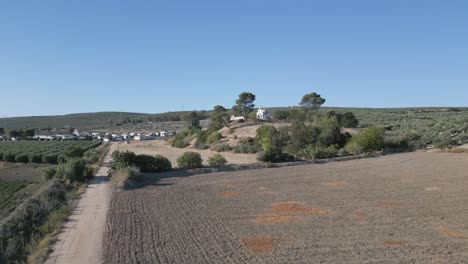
{"points": [[72, 56]]}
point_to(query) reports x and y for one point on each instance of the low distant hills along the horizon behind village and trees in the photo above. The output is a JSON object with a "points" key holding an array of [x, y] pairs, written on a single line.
{"points": [[122, 121]]}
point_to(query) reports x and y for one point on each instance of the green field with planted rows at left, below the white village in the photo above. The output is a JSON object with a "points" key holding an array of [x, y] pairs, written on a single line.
{"points": [[39, 151]]}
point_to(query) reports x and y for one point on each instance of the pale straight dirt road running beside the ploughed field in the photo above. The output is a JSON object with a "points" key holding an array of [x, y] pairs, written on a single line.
{"points": [[81, 238]]}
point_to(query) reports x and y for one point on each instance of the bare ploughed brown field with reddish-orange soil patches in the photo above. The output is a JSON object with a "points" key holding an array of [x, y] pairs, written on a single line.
{"points": [[404, 208]]}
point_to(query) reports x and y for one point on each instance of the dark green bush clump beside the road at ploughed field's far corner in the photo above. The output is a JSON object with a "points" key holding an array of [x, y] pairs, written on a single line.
{"points": [[145, 163]]}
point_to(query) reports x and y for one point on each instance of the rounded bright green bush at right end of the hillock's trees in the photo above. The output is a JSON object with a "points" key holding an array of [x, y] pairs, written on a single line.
{"points": [[369, 139]]}
